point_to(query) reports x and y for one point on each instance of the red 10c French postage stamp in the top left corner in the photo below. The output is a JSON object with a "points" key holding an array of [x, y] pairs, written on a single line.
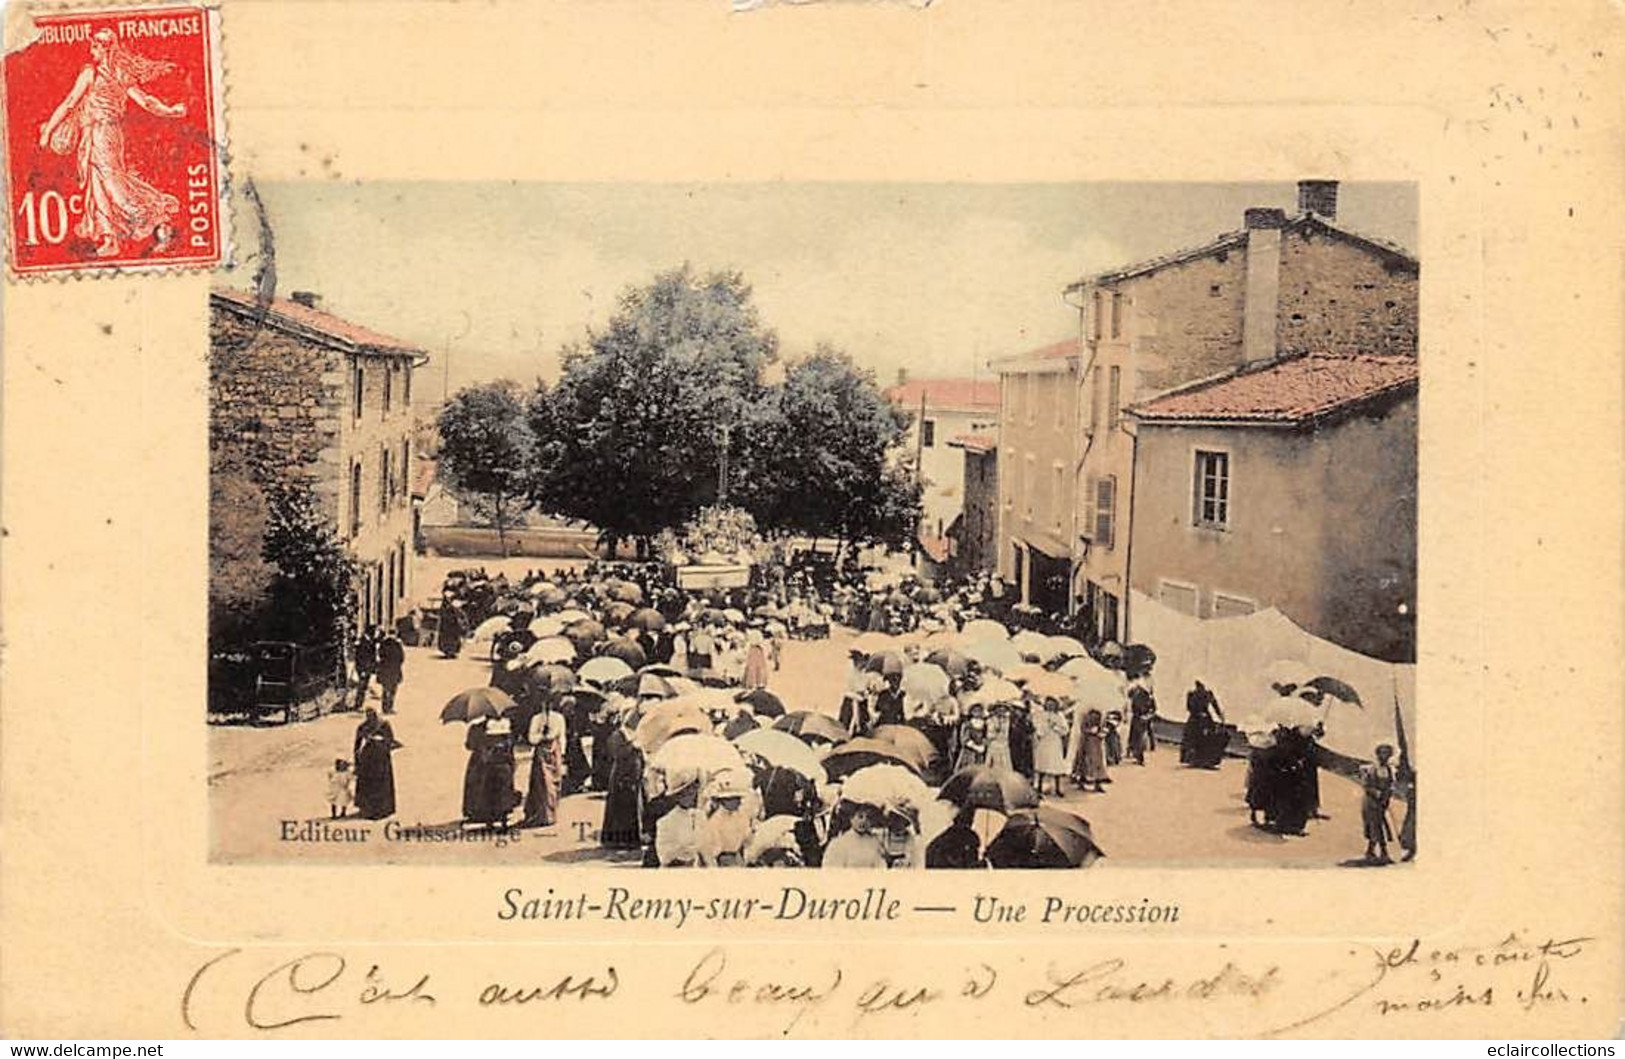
{"points": [[115, 142]]}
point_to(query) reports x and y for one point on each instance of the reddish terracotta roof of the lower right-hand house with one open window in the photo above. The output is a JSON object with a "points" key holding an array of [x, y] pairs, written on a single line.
{"points": [[1283, 392]]}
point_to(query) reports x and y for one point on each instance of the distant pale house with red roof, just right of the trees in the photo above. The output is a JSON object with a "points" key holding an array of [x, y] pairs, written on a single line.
{"points": [[940, 410]]}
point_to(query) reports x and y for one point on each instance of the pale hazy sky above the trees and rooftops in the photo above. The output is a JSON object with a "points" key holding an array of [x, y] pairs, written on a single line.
{"points": [[937, 279]]}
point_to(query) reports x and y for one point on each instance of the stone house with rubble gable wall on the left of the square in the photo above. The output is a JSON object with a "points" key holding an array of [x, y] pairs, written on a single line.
{"points": [[303, 397]]}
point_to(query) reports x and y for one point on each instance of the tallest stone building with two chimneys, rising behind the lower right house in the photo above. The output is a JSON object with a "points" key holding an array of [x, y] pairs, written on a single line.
{"points": [[1278, 288]]}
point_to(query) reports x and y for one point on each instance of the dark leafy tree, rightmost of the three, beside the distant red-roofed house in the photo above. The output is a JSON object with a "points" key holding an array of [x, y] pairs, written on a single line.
{"points": [[834, 465]]}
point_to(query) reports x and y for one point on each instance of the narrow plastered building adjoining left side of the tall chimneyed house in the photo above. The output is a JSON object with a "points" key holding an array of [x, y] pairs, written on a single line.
{"points": [[1038, 473]]}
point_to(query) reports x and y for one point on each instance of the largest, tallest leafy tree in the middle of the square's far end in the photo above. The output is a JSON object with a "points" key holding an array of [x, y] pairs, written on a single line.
{"points": [[633, 436]]}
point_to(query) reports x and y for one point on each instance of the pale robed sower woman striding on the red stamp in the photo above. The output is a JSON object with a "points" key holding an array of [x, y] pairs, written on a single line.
{"points": [[118, 202]]}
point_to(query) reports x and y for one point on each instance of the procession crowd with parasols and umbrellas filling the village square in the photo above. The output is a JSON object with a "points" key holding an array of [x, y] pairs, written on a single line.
{"points": [[950, 746]]}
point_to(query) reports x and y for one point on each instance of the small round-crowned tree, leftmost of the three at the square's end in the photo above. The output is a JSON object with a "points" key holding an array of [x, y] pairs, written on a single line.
{"points": [[488, 452]]}
